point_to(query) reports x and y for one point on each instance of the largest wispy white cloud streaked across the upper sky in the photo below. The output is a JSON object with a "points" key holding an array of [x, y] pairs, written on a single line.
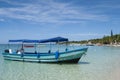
{"points": [[49, 12]]}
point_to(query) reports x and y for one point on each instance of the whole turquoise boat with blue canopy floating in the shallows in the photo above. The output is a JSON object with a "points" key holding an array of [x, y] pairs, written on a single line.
{"points": [[66, 56]]}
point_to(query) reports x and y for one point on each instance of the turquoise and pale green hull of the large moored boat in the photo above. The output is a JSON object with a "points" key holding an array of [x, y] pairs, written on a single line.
{"points": [[72, 56]]}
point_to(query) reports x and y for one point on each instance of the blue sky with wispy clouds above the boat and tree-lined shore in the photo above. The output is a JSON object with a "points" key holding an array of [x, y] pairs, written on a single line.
{"points": [[74, 19]]}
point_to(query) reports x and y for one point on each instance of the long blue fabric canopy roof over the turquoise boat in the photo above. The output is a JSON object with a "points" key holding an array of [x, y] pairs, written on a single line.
{"points": [[56, 39]]}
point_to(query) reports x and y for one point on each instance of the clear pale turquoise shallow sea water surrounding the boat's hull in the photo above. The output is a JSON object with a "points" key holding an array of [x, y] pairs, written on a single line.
{"points": [[100, 63]]}
